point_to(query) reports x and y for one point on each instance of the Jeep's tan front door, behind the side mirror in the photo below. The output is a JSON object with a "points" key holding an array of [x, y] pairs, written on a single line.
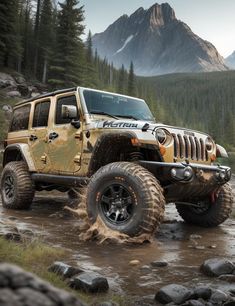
{"points": [[64, 140]]}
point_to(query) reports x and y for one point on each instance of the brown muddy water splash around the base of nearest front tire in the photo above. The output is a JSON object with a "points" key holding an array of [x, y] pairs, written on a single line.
{"points": [[98, 231]]}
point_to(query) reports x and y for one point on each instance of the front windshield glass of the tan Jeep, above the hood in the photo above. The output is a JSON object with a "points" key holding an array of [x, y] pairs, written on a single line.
{"points": [[116, 106]]}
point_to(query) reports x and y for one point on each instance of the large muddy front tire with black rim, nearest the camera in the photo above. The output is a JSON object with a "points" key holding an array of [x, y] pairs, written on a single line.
{"points": [[127, 198]]}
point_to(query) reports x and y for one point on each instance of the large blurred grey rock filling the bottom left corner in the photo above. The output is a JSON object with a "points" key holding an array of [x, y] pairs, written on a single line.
{"points": [[20, 288]]}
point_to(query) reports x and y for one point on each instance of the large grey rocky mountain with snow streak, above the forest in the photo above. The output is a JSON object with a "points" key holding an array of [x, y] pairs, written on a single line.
{"points": [[157, 43]]}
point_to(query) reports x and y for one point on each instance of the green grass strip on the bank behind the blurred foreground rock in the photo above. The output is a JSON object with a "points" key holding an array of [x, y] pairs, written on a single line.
{"points": [[36, 257]]}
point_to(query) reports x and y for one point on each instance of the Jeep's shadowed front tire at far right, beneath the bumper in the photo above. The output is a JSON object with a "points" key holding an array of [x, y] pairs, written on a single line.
{"points": [[209, 214]]}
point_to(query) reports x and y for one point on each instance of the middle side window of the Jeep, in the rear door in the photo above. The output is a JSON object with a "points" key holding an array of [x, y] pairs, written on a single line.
{"points": [[41, 114]]}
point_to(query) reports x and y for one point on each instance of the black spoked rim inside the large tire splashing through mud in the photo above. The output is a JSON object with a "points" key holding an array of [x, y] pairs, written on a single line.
{"points": [[116, 204]]}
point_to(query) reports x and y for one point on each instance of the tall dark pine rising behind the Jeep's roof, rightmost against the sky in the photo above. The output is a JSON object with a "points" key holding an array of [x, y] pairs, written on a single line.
{"points": [[68, 66]]}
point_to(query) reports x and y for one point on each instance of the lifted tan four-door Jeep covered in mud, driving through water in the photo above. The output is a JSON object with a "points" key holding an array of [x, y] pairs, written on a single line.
{"points": [[131, 164]]}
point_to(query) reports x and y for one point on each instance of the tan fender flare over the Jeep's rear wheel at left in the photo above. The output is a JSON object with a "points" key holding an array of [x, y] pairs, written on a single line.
{"points": [[23, 150]]}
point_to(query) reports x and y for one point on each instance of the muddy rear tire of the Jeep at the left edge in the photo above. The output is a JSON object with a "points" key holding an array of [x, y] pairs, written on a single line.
{"points": [[17, 189]]}
